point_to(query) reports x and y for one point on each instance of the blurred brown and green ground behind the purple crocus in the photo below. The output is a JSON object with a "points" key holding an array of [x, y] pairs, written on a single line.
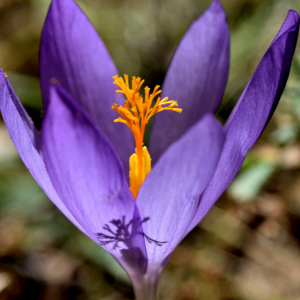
{"points": [[246, 248]]}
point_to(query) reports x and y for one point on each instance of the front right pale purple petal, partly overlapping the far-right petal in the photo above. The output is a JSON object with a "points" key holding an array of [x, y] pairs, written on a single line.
{"points": [[170, 194]]}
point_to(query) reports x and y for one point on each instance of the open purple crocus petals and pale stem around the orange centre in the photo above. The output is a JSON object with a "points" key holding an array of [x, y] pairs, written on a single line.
{"points": [[80, 158]]}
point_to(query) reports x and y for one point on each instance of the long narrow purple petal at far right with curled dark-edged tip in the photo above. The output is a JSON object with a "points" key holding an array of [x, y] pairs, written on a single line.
{"points": [[253, 111]]}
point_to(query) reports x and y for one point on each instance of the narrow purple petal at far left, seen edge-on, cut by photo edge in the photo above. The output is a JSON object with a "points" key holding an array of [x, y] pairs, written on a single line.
{"points": [[27, 140]]}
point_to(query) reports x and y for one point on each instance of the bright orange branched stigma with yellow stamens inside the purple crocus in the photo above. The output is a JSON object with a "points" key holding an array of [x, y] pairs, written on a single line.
{"points": [[135, 113]]}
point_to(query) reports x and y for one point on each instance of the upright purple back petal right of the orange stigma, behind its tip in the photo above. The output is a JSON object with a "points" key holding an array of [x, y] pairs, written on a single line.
{"points": [[196, 78]]}
